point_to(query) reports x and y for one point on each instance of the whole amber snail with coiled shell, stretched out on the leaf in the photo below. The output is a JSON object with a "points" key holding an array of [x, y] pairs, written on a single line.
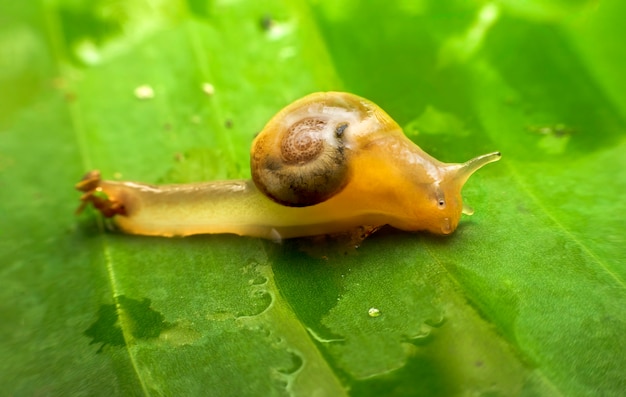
{"points": [[328, 163]]}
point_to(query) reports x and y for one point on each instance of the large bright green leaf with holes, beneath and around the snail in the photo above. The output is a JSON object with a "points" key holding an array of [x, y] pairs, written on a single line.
{"points": [[527, 297]]}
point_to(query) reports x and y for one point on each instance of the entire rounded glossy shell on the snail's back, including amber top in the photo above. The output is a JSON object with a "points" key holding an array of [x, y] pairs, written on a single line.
{"points": [[303, 155]]}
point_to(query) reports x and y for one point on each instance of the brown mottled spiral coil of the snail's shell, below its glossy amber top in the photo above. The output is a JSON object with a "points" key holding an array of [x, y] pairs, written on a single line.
{"points": [[301, 161]]}
